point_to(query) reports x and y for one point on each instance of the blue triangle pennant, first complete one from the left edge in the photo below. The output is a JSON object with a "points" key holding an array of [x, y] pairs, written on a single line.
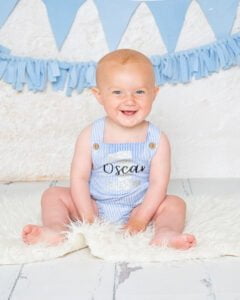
{"points": [[61, 15]]}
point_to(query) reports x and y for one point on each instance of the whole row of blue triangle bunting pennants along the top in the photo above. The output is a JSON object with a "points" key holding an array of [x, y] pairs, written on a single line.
{"points": [[115, 16]]}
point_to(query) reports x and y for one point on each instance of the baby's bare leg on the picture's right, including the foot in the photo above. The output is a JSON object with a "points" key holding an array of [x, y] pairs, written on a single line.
{"points": [[169, 223]]}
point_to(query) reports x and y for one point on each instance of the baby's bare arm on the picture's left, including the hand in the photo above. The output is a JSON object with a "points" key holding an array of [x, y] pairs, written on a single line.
{"points": [[80, 174]]}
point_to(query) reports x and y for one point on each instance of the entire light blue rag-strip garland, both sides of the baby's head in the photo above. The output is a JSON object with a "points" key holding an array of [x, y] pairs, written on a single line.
{"points": [[179, 67]]}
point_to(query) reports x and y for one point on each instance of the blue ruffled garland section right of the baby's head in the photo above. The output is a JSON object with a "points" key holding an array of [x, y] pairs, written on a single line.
{"points": [[183, 66]]}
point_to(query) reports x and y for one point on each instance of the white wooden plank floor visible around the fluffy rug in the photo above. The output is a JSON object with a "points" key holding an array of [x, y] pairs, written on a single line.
{"points": [[78, 276]]}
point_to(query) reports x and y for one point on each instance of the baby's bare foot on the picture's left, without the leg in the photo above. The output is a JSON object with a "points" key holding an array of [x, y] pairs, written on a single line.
{"points": [[33, 234]]}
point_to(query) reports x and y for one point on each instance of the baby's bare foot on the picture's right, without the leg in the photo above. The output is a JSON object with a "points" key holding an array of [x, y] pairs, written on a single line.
{"points": [[175, 240]]}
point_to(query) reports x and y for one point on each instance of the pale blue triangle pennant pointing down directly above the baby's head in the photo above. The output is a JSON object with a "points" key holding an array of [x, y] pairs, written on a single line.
{"points": [[115, 16]]}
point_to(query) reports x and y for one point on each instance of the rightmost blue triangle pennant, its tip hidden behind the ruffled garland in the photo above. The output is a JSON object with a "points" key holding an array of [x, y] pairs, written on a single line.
{"points": [[220, 15]]}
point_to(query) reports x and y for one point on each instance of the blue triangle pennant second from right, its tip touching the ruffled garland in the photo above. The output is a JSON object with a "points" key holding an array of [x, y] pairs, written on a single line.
{"points": [[169, 16]]}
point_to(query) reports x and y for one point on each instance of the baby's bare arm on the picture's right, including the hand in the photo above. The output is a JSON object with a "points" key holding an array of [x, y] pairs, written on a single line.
{"points": [[157, 190]]}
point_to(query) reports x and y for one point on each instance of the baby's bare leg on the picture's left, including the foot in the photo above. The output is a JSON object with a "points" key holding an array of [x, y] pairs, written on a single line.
{"points": [[58, 210]]}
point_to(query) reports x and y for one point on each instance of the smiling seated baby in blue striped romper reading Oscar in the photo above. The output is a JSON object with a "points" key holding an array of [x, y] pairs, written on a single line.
{"points": [[121, 165]]}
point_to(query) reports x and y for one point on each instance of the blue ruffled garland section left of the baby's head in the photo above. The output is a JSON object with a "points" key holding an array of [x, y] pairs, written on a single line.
{"points": [[36, 73]]}
